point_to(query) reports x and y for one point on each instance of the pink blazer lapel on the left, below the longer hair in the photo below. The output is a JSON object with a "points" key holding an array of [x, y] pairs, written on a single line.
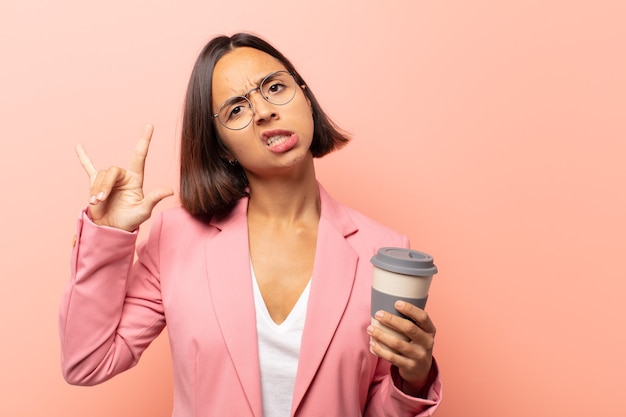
{"points": [[230, 283]]}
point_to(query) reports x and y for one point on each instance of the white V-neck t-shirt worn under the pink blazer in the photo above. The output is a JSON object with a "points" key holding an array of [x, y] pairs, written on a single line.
{"points": [[279, 349]]}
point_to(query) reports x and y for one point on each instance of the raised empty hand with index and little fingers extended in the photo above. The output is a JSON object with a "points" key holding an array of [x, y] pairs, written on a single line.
{"points": [[116, 195]]}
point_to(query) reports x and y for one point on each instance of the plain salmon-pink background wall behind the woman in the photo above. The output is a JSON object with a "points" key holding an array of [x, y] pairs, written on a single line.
{"points": [[491, 132]]}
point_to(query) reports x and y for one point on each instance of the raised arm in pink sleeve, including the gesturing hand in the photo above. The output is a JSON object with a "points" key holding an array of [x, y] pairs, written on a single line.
{"points": [[103, 326]]}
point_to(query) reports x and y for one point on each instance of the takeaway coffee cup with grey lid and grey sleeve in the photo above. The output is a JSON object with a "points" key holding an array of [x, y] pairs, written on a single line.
{"points": [[400, 274]]}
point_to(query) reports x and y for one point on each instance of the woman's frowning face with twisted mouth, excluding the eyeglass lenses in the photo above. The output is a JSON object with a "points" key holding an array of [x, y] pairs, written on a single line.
{"points": [[279, 136]]}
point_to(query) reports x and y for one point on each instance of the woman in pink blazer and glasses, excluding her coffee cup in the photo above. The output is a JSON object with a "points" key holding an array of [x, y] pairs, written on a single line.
{"points": [[262, 278]]}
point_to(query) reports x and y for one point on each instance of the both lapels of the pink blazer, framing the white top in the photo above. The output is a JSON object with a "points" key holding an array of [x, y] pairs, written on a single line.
{"points": [[230, 282]]}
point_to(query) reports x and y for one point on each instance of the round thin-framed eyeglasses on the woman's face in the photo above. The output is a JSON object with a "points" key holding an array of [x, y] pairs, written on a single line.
{"points": [[277, 88]]}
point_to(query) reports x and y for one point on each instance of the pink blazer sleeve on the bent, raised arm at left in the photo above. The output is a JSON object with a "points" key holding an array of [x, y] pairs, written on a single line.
{"points": [[111, 309]]}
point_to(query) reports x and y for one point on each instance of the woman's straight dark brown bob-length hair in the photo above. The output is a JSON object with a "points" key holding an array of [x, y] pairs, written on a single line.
{"points": [[209, 184]]}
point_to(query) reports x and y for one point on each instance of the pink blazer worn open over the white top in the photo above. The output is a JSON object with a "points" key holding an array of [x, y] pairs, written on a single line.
{"points": [[195, 277]]}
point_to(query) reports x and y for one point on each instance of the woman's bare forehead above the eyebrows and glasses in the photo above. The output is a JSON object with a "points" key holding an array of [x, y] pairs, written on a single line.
{"points": [[241, 69]]}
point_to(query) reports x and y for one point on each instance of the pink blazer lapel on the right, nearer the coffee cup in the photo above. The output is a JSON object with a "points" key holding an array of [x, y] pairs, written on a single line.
{"points": [[331, 286]]}
